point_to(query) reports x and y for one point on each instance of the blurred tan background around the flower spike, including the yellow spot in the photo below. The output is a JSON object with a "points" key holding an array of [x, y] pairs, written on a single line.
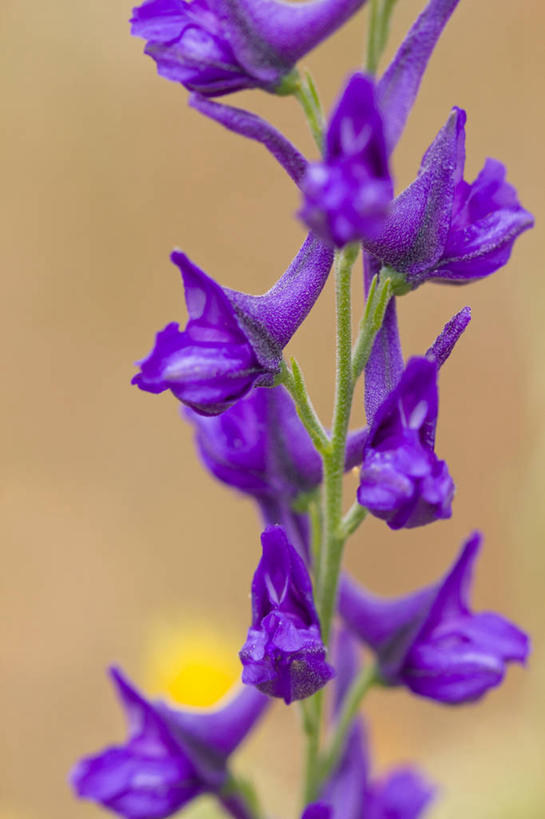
{"points": [[117, 546]]}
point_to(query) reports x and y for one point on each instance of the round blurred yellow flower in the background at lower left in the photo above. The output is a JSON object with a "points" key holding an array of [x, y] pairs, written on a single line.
{"points": [[193, 664]]}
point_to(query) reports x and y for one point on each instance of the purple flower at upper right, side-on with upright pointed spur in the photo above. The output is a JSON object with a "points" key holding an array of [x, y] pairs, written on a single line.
{"points": [[442, 228]]}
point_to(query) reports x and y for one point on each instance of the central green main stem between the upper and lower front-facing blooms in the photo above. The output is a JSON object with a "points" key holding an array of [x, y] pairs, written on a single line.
{"points": [[334, 459]]}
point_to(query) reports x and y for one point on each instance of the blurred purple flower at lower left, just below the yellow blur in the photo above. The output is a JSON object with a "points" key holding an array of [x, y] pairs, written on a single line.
{"points": [[170, 756]]}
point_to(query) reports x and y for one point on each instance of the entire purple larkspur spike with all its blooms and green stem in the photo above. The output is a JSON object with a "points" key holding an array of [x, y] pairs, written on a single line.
{"points": [[256, 429]]}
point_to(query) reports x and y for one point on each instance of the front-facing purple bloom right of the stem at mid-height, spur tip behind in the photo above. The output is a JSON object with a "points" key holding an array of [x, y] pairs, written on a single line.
{"points": [[402, 480]]}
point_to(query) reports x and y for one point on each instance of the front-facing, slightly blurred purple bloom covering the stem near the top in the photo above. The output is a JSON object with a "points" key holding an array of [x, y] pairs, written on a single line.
{"points": [[348, 195]]}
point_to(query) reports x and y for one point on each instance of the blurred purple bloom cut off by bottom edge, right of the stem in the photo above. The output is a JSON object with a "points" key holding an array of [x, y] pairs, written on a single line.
{"points": [[350, 792]]}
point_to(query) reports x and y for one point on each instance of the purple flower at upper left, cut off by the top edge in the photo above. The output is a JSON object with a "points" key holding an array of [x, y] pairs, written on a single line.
{"points": [[219, 46]]}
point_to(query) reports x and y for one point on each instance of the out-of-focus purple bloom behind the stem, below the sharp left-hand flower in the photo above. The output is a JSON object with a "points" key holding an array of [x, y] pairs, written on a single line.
{"points": [[260, 447]]}
